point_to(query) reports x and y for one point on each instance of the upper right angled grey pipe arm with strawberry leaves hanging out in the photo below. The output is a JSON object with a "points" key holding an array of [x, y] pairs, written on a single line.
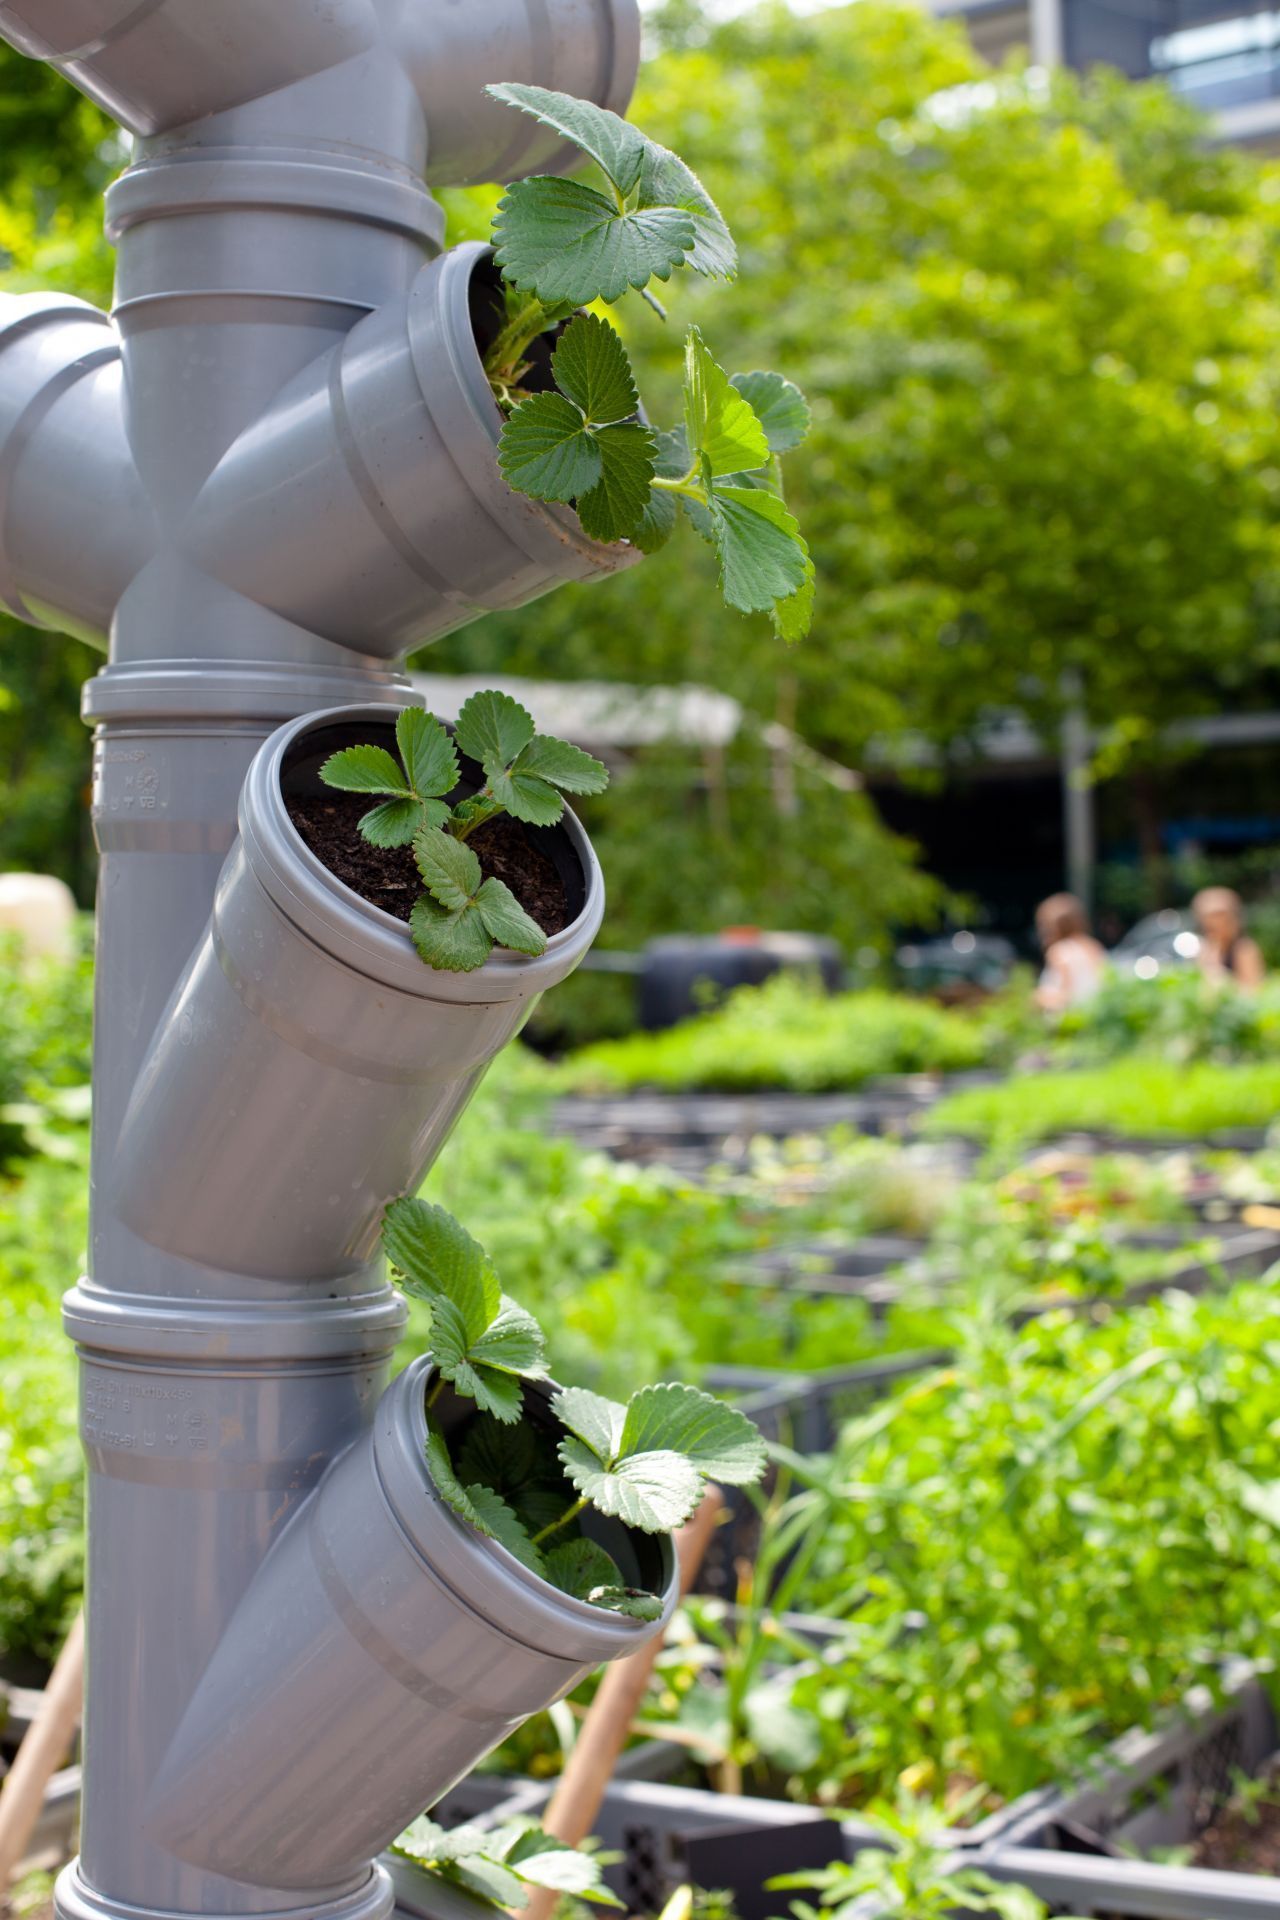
{"points": [[381, 462]]}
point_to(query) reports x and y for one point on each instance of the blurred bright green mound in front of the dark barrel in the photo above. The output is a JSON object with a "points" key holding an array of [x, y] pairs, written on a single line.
{"points": [[792, 1038]]}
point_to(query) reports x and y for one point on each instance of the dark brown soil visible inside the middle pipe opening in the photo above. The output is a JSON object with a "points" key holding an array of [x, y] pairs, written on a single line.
{"points": [[389, 878]]}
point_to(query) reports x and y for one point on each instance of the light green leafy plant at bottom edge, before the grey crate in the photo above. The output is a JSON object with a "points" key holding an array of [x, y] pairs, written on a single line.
{"points": [[913, 1877]]}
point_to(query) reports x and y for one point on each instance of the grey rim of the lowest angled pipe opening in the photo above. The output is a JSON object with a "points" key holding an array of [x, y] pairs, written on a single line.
{"points": [[481, 1573]]}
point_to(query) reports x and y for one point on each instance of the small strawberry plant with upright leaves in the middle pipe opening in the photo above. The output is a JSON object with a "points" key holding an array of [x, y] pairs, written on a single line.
{"points": [[462, 917]]}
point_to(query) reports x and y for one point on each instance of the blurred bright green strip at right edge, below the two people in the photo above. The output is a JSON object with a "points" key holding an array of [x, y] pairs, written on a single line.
{"points": [[1135, 1099]]}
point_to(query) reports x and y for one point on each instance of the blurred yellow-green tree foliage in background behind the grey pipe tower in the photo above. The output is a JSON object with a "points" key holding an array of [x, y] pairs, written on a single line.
{"points": [[1035, 320]]}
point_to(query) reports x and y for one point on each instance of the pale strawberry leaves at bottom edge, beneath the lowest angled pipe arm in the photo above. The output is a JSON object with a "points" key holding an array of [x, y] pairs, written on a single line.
{"points": [[500, 1867]]}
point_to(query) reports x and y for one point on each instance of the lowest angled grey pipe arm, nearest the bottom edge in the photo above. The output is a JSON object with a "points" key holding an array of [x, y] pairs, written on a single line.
{"points": [[379, 1614]]}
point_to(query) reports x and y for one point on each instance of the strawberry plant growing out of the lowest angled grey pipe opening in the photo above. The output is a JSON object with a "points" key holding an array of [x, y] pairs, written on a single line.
{"points": [[531, 1483]]}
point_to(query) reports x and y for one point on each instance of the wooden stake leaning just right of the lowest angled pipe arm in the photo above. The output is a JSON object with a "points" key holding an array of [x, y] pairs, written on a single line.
{"points": [[573, 1808]]}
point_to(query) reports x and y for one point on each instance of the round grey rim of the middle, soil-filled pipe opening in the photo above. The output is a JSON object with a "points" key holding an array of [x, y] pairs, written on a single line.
{"points": [[362, 936]]}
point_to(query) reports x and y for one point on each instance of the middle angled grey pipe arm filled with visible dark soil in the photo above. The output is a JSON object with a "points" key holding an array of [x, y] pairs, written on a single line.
{"points": [[310, 1063]]}
